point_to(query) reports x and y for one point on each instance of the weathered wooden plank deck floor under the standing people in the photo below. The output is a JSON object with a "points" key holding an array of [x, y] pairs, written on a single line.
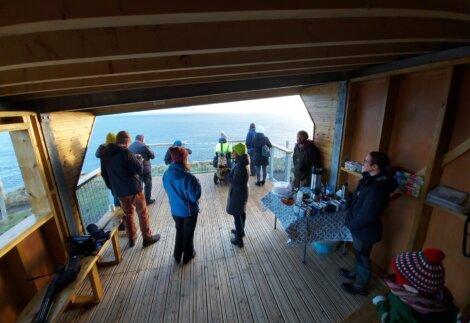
{"points": [[265, 281]]}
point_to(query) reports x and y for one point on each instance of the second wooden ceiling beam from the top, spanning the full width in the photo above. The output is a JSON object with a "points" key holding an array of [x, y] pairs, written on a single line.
{"points": [[104, 44]]}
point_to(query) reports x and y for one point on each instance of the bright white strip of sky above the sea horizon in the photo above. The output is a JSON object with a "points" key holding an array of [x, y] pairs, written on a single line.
{"points": [[276, 105]]}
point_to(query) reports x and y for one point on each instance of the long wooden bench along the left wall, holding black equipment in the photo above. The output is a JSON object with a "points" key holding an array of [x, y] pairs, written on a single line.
{"points": [[88, 269]]}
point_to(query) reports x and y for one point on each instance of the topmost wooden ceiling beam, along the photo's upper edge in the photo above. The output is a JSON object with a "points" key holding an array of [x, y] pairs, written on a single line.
{"points": [[23, 16]]}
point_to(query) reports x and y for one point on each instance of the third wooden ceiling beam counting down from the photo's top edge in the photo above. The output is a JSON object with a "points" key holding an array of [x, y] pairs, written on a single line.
{"points": [[203, 61]]}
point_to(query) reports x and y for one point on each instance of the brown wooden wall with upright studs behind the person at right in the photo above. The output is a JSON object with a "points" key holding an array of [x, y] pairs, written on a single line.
{"points": [[408, 115]]}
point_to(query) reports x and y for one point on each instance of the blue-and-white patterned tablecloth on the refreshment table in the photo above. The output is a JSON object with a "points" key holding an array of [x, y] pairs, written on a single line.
{"points": [[322, 226]]}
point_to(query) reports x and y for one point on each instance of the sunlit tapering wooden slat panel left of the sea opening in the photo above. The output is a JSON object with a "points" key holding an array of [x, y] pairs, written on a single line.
{"points": [[72, 133]]}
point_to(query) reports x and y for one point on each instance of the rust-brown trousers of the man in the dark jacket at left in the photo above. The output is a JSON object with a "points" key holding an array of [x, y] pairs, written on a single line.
{"points": [[129, 204]]}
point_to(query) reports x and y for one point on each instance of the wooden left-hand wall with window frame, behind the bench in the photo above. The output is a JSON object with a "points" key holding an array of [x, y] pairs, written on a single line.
{"points": [[35, 247]]}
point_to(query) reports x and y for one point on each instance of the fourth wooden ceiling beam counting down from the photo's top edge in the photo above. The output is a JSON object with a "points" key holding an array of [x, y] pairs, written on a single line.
{"points": [[188, 76]]}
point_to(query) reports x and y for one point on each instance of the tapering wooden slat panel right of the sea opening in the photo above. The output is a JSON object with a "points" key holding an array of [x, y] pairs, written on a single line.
{"points": [[321, 102]]}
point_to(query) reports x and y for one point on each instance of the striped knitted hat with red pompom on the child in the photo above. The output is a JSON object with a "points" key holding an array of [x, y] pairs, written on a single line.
{"points": [[421, 269]]}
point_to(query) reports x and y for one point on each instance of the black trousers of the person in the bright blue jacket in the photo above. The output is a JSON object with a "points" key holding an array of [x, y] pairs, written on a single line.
{"points": [[184, 241]]}
